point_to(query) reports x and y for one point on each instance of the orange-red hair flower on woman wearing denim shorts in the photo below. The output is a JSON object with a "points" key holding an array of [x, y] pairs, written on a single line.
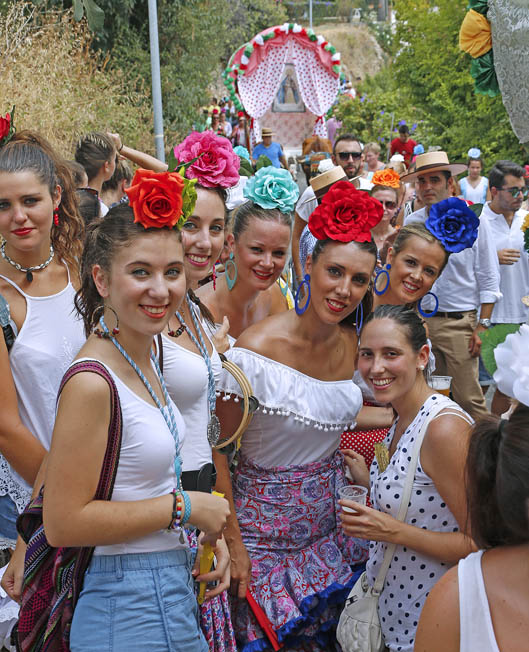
{"points": [[160, 199]]}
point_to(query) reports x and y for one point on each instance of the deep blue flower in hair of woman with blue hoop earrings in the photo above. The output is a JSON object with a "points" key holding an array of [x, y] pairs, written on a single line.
{"points": [[454, 224]]}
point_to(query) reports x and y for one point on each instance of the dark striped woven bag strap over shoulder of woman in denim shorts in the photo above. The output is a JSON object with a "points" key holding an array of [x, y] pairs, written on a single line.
{"points": [[110, 462]]}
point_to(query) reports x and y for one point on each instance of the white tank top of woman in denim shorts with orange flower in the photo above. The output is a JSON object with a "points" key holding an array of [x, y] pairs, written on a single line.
{"points": [[146, 465]]}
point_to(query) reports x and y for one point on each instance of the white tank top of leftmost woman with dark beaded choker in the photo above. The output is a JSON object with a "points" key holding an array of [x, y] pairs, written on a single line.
{"points": [[50, 338]]}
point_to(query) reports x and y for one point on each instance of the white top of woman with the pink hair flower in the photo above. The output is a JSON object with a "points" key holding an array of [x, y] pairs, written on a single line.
{"points": [[186, 377]]}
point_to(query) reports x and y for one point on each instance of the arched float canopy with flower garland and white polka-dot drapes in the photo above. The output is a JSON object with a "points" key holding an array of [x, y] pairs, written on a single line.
{"points": [[253, 75]]}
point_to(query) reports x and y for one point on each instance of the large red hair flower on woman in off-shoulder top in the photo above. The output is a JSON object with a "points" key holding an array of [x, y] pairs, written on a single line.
{"points": [[345, 214]]}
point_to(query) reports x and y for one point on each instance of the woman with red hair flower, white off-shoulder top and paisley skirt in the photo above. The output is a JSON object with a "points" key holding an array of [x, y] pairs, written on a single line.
{"points": [[300, 364]]}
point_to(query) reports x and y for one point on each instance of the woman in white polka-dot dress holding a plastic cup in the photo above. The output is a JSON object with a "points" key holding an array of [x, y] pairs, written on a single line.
{"points": [[393, 354]]}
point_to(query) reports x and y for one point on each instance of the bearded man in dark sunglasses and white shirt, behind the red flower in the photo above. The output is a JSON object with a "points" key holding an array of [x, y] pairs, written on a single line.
{"points": [[346, 152]]}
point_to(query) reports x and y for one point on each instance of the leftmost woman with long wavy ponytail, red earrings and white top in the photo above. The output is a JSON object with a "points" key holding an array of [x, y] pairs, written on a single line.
{"points": [[41, 243]]}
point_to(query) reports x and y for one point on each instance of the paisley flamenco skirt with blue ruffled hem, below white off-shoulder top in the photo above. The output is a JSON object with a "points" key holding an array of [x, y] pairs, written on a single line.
{"points": [[303, 566]]}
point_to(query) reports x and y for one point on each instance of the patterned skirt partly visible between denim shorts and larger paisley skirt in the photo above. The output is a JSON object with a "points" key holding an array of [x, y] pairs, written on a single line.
{"points": [[214, 615]]}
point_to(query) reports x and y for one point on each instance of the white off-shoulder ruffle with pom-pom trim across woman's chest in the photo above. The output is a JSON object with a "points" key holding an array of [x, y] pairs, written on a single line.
{"points": [[283, 390]]}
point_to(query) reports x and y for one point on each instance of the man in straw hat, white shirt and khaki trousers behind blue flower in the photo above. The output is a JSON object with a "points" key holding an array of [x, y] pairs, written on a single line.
{"points": [[467, 287]]}
